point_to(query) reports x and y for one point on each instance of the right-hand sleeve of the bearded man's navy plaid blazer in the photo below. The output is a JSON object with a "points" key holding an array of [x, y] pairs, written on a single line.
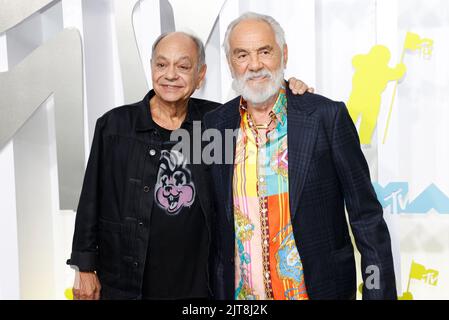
{"points": [[365, 213]]}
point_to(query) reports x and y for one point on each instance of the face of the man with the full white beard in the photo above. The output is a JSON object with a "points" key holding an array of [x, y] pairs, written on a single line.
{"points": [[256, 60]]}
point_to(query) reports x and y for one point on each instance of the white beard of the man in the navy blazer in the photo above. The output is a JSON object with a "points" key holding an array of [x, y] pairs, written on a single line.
{"points": [[261, 92]]}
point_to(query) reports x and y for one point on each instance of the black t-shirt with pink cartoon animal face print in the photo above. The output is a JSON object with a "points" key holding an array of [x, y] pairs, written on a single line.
{"points": [[176, 261]]}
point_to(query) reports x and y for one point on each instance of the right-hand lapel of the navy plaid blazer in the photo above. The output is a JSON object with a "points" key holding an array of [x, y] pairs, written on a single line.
{"points": [[302, 135]]}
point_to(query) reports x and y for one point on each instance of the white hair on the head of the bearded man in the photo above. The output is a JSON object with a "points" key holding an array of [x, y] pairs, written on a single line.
{"points": [[275, 26]]}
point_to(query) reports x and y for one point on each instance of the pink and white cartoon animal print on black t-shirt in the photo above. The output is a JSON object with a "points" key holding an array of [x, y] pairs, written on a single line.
{"points": [[174, 188]]}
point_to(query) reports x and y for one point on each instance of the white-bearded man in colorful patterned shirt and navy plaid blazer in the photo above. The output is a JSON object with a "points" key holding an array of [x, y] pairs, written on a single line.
{"points": [[281, 229]]}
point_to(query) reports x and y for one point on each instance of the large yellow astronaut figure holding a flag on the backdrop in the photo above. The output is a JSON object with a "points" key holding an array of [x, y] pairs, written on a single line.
{"points": [[371, 76]]}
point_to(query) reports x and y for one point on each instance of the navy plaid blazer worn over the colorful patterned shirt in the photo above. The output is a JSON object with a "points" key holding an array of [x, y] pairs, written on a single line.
{"points": [[327, 170]]}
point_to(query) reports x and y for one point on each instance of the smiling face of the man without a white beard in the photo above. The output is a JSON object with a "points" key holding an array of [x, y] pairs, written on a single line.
{"points": [[174, 68]]}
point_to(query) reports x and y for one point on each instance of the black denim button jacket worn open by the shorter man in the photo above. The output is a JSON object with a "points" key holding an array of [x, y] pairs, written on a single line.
{"points": [[112, 222]]}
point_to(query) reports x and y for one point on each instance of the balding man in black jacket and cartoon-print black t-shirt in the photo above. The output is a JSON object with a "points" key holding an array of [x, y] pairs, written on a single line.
{"points": [[143, 224]]}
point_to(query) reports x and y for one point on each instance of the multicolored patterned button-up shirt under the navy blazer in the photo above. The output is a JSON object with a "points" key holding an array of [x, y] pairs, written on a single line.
{"points": [[267, 264]]}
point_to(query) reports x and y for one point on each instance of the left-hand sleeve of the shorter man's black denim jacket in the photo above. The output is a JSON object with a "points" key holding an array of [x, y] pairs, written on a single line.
{"points": [[84, 246]]}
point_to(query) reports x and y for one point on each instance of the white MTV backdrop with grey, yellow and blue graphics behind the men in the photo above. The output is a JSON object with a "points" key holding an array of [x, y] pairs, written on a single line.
{"points": [[63, 63]]}
